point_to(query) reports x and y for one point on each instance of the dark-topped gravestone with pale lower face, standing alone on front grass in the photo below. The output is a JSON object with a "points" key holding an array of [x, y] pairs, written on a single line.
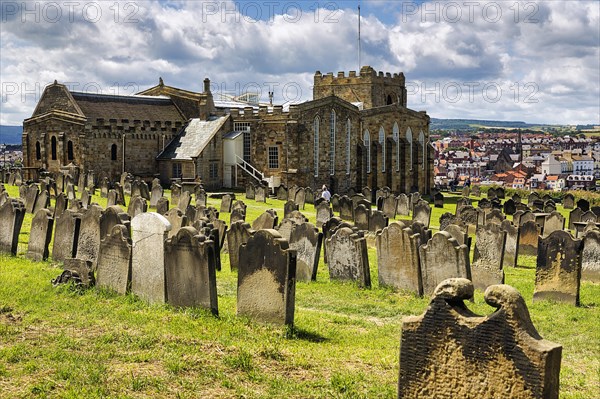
{"points": [[267, 279]]}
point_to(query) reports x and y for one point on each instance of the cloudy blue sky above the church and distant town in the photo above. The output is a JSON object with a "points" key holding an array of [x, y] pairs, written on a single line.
{"points": [[530, 61]]}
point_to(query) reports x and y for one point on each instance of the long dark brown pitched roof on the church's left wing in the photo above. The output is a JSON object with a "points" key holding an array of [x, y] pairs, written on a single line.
{"points": [[95, 106]]}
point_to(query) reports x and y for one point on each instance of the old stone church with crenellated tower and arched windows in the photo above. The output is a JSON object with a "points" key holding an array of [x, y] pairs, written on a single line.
{"points": [[356, 131]]}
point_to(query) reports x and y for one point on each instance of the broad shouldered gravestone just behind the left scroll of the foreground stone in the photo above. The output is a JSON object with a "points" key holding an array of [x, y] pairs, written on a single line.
{"points": [[442, 258]]}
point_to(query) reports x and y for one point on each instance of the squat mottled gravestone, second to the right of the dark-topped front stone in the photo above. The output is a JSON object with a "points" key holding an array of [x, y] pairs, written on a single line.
{"points": [[347, 257]]}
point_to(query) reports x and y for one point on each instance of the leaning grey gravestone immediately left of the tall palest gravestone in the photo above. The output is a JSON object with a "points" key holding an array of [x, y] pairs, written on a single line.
{"points": [[114, 261]]}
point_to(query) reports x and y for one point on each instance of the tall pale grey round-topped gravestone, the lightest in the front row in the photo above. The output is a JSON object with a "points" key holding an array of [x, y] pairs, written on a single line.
{"points": [[149, 232]]}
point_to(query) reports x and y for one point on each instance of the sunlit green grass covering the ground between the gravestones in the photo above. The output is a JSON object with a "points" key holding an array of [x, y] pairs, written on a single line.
{"points": [[66, 343]]}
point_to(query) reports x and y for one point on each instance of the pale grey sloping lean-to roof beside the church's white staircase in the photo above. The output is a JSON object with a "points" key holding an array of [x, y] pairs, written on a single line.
{"points": [[192, 139]]}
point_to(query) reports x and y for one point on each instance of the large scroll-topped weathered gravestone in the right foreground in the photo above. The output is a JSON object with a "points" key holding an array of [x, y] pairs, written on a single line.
{"points": [[449, 352]]}
